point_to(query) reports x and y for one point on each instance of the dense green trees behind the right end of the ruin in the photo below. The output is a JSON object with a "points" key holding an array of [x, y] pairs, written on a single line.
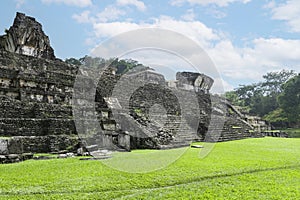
{"points": [[276, 99]]}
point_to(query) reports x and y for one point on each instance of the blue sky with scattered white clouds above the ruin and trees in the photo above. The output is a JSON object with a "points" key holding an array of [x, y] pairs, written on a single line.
{"points": [[244, 38]]}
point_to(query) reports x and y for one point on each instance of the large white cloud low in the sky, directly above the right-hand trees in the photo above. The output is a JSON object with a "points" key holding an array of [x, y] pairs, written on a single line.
{"points": [[251, 63]]}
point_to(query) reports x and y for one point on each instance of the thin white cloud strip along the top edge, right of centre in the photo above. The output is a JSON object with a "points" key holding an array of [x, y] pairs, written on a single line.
{"points": [[221, 3]]}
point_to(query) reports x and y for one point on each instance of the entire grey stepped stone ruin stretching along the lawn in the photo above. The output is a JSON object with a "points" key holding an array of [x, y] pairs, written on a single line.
{"points": [[36, 91]]}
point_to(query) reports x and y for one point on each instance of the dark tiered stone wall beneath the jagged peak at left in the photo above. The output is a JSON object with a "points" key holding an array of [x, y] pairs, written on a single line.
{"points": [[35, 103]]}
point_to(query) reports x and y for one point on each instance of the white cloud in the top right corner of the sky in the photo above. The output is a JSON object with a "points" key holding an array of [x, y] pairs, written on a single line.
{"points": [[289, 12]]}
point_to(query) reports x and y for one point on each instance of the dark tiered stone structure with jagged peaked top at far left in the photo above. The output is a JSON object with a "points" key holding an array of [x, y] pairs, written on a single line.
{"points": [[35, 91]]}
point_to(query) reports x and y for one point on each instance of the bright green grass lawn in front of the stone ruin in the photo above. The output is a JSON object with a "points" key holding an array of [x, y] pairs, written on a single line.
{"points": [[262, 168]]}
